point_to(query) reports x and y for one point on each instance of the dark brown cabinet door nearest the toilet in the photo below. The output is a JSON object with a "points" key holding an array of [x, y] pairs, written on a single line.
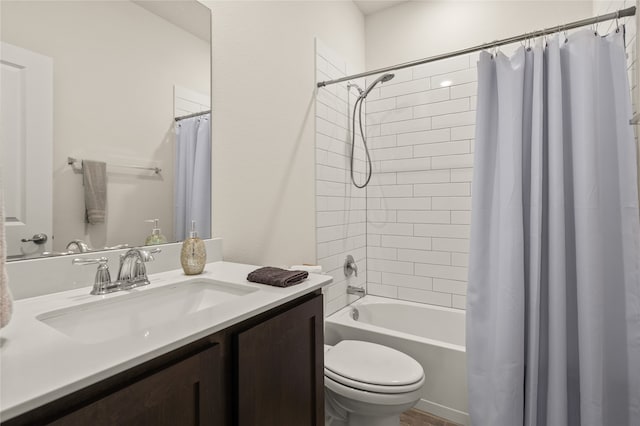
{"points": [[281, 369]]}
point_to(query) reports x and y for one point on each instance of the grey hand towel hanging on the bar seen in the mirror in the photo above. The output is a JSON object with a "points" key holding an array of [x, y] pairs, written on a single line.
{"points": [[95, 190]]}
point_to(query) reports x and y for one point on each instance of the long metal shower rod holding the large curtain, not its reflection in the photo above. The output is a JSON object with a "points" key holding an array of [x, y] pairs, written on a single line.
{"points": [[588, 21]]}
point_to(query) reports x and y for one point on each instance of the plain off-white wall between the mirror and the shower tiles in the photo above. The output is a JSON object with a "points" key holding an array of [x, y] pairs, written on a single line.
{"points": [[263, 122]]}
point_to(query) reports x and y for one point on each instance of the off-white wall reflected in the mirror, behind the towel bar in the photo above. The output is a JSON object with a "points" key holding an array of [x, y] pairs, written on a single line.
{"points": [[115, 65]]}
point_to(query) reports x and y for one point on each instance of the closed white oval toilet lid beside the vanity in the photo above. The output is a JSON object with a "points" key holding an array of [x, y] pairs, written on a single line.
{"points": [[370, 363]]}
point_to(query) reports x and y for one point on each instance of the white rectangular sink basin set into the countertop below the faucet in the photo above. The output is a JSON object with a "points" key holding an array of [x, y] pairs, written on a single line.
{"points": [[138, 310]]}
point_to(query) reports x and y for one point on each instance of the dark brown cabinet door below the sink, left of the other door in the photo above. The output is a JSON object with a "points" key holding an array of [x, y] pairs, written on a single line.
{"points": [[182, 394]]}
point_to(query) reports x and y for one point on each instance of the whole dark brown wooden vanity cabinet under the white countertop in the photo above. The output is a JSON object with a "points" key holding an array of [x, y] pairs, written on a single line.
{"points": [[267, 370]]}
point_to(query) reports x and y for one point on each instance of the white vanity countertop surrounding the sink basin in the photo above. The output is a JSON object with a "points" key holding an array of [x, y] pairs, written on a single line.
{"points": [[38, 364]]}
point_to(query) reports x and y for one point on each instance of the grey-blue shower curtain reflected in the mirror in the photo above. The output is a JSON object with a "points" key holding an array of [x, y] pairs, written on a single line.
{"points": [[192, 187]]}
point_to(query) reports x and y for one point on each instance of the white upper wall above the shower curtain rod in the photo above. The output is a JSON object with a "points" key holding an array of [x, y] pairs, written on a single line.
{"points": [[419, 29]]}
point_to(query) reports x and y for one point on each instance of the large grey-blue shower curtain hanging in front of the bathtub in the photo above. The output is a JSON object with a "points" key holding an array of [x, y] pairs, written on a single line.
{"points": [[553, 319]]}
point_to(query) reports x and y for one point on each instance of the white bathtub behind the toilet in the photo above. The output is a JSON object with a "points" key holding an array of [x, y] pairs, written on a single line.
{"points": [[432, 335]]}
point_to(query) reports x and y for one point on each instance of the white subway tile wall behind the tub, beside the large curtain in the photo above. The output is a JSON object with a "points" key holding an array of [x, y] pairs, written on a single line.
{"points": [[421, 129]]}
